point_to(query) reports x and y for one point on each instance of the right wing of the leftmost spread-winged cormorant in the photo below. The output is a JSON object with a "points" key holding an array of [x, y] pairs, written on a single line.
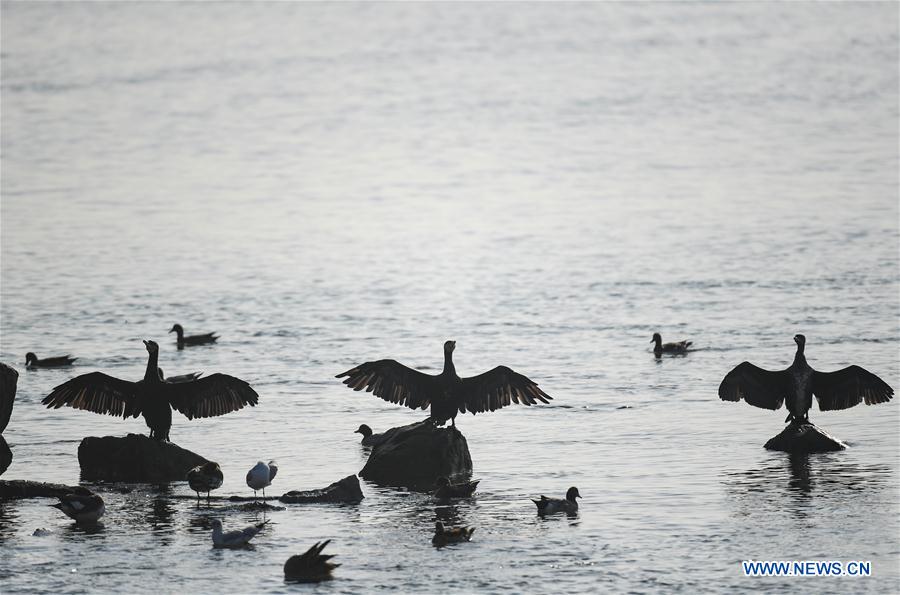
{"points": [[217, 394]]}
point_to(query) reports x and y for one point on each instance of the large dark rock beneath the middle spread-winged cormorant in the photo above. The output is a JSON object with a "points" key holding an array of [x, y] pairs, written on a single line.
{"points": [[416, 455]]}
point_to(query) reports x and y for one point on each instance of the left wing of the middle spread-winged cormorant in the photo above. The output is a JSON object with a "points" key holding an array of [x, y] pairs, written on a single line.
{"points": [[394, 382]]}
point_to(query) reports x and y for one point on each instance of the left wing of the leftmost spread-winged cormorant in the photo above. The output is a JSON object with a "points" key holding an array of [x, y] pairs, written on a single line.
{"points": [[97, 392]]}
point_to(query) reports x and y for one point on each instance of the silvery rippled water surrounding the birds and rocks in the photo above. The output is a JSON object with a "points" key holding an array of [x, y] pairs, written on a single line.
{"points": [[547, 184]]}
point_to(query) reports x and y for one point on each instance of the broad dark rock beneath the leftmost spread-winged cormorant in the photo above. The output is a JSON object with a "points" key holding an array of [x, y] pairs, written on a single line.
{"points": [[134, 458]]}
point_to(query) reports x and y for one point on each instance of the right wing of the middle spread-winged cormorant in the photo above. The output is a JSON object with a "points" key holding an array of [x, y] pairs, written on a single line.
{"points": [[498, 388]]}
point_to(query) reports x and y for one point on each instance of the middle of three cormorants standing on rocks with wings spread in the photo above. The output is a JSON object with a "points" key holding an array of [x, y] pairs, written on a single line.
{"points": [[446, 393]]}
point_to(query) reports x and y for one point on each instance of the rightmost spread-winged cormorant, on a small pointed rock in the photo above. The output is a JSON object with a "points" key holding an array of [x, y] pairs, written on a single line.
{"points": [[796, 386]]}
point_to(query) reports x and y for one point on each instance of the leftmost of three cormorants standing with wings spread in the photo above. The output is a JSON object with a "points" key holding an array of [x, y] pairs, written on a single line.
{"points": [[154, 399]]}
